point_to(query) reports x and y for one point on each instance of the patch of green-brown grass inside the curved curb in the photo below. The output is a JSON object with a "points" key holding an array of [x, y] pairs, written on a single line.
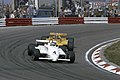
{"points": [[112, 53]]}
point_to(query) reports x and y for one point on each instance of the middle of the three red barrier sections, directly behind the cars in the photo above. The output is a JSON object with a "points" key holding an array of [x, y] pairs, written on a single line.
{"points": [[71, 20]]}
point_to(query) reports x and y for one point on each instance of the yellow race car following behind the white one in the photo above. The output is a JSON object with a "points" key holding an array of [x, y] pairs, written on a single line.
{"points": [[61, 40]]}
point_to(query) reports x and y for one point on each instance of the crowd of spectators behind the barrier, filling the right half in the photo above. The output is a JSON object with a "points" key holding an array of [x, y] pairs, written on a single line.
{"points": [[77, 10]]}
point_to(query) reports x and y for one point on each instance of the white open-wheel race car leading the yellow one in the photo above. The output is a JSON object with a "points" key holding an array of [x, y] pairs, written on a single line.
{"points": [[48, 50]]}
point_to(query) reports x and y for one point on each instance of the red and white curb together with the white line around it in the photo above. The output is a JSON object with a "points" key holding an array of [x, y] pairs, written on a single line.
{"points": [[97, 58]]}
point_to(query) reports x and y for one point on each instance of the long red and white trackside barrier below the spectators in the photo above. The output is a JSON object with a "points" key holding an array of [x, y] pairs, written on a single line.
{"points": [[56, 20]]}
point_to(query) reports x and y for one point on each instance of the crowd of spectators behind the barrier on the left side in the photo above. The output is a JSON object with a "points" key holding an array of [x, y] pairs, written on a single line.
{"points": [[23, 12]]}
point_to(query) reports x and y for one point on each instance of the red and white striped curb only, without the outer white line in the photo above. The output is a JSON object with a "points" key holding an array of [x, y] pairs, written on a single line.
{"points": [[97, 60]]}
